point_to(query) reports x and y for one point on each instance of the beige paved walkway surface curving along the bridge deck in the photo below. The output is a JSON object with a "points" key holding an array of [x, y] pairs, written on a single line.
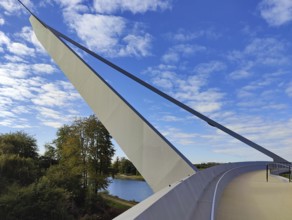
{"points": [[250, 197]]}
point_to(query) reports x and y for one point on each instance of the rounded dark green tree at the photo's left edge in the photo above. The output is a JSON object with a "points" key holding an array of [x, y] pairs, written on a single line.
{"points": [[18, 160]]}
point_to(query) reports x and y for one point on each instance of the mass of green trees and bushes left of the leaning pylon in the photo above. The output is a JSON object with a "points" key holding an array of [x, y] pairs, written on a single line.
{"points": [[64, 182]]}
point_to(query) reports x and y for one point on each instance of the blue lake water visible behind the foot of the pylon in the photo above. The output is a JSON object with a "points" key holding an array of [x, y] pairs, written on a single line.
{"points": [[130, 189]]}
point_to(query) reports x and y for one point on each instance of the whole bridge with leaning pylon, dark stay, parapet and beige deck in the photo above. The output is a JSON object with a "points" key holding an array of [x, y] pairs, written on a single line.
{"points": [[227, 191]]}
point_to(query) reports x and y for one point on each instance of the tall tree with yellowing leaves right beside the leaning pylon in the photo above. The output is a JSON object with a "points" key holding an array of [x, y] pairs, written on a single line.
{"points": [[85, 147]]}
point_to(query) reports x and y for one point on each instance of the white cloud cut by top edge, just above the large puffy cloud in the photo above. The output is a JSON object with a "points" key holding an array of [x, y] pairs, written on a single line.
{"points": [[134, 6]]}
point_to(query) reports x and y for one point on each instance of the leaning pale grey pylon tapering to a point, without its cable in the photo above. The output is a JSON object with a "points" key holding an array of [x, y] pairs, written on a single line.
{"points": [[154, 157]]}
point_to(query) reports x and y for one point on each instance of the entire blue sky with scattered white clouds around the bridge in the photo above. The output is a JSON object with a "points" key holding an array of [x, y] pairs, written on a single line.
{"points": [[228, 59]]}
